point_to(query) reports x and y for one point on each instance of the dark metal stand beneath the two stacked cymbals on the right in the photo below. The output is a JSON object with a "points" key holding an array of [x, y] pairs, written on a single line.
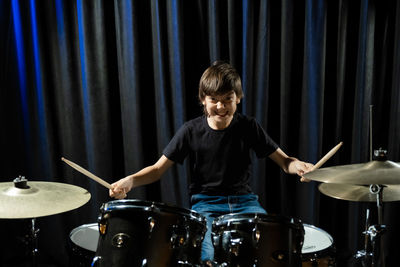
{"points": [[373, 252]]}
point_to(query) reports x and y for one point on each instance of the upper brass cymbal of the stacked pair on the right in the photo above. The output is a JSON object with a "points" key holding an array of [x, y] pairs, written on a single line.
{"points": [[373, 172]]}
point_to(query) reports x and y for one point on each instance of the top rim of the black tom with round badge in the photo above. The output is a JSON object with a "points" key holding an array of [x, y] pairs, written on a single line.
{"points": [[122, 204]]}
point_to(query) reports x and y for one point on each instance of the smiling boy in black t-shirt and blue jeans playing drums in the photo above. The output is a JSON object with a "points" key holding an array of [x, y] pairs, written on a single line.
{"points": [[218, 146]]}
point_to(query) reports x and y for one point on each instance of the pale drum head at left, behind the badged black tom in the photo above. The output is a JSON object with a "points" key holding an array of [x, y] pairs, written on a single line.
{"points": [[86, 236]]}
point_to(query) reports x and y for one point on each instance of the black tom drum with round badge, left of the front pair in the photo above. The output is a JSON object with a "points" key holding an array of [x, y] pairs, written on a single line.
{"points": [[143, 233]]}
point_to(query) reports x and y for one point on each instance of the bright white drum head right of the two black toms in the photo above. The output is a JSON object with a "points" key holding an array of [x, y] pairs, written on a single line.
{"points": [[315, 239]]}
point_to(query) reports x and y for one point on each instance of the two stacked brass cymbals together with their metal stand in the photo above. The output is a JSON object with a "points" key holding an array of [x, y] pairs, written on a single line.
{"points": [[376, 181]]}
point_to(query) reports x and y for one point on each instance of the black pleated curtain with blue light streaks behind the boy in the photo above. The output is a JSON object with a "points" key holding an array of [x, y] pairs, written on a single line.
{"points": [[106, 84]]}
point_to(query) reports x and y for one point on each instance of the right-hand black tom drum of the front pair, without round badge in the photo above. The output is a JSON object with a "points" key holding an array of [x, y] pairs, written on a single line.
{"points": [[253, 239]]}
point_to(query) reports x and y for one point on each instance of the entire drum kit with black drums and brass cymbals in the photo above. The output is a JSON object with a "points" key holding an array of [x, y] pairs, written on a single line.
{"points": [[143, 233]]}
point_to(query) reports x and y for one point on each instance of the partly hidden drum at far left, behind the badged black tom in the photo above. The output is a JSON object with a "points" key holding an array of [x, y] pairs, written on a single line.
{"points": [[82, 245]]}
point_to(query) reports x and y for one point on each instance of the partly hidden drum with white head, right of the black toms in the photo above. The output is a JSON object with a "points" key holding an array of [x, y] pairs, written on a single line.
{"points": [[318, 248]]}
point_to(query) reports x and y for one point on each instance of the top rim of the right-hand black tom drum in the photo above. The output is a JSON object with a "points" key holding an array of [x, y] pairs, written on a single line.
{"points": [[223, 219]]}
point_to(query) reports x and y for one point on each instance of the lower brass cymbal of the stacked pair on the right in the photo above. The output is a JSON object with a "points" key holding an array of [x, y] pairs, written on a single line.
{"points": [[360, 193]]}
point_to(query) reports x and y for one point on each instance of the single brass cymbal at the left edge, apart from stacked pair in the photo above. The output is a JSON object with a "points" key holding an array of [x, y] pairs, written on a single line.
{"points": [[40, 199]]}
